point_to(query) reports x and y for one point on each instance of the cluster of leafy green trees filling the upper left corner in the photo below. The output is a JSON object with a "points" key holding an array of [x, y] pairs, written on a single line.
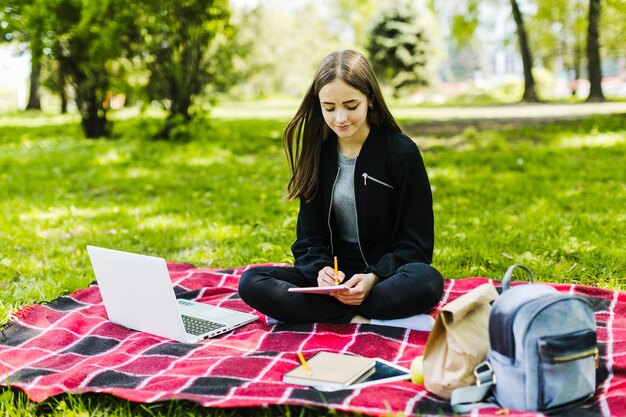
{"points": [[174, 49]]}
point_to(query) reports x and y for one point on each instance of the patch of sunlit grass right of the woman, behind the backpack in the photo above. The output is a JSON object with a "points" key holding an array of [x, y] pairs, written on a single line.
{"points": [[551, 197]]}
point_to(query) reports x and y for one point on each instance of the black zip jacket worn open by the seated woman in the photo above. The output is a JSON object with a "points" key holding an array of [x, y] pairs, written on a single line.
{"points": [[393, 205]]}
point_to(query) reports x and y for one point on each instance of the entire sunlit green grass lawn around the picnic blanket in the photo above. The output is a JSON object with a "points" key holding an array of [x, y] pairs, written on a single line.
{"points": [[550, 196]]}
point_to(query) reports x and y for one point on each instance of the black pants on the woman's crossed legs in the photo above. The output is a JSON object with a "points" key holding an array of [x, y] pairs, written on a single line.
{"points": [[415, 288]]}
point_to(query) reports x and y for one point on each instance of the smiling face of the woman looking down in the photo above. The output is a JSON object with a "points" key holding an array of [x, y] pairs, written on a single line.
{"points": [[345, 111]]}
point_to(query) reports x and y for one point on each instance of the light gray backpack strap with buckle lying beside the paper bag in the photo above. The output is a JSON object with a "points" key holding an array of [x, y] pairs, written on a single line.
{"points": [[466, 399]]}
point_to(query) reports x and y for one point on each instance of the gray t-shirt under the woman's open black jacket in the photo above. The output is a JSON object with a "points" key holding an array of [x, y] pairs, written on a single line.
{"points": [[343, 199]]}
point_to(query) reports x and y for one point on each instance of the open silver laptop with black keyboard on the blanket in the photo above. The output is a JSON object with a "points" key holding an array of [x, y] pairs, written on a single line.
{"points": [[137, 293]]}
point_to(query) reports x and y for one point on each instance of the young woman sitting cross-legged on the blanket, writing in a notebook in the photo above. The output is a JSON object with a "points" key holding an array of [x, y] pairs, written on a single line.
{"points": [[364, 198]]}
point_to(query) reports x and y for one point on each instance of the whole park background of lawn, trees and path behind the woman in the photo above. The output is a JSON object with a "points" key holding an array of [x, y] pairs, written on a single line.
{"points": [[155, 127]]}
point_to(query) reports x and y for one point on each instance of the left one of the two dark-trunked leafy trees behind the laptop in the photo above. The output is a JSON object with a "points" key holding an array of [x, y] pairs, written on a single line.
{"points": [[86, 37]]}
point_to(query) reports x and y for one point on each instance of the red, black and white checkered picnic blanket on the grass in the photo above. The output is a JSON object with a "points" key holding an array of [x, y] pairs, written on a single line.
{"points": [[68, 346]]}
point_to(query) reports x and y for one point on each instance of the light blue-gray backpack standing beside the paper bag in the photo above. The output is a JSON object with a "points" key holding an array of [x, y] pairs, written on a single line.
{"points": [[543, 351]]}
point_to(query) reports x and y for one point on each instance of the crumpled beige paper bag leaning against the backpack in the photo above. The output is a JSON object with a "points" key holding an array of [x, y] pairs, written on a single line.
{"points": [[458, 342]]}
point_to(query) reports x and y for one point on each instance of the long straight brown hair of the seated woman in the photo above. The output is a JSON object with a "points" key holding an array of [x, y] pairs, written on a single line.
{"points": [[304, 135]]}
